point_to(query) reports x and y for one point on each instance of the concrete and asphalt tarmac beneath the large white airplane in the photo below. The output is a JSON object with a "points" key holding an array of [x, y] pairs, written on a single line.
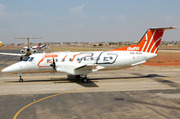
{"points": [[138, 93]]}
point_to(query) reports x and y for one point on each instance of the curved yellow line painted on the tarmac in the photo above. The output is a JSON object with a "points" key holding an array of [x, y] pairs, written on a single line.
{"points": [[15, 116]]}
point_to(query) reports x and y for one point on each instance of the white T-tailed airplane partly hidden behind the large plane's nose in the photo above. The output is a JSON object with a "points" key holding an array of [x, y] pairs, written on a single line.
{"points": [[26, 51]]}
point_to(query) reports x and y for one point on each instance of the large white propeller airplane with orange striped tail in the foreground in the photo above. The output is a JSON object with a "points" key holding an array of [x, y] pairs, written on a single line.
{"points": [[80, 64]]}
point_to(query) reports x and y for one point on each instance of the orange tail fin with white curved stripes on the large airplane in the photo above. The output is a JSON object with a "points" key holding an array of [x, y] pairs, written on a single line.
{"points": [[150, 41]]}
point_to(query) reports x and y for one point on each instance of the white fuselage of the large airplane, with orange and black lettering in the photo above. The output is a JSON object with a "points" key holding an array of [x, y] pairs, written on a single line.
{"points": [[66, 61]]}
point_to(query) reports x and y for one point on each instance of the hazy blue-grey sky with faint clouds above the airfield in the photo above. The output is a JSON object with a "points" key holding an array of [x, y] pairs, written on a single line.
{"points": [[86, 20]]}
